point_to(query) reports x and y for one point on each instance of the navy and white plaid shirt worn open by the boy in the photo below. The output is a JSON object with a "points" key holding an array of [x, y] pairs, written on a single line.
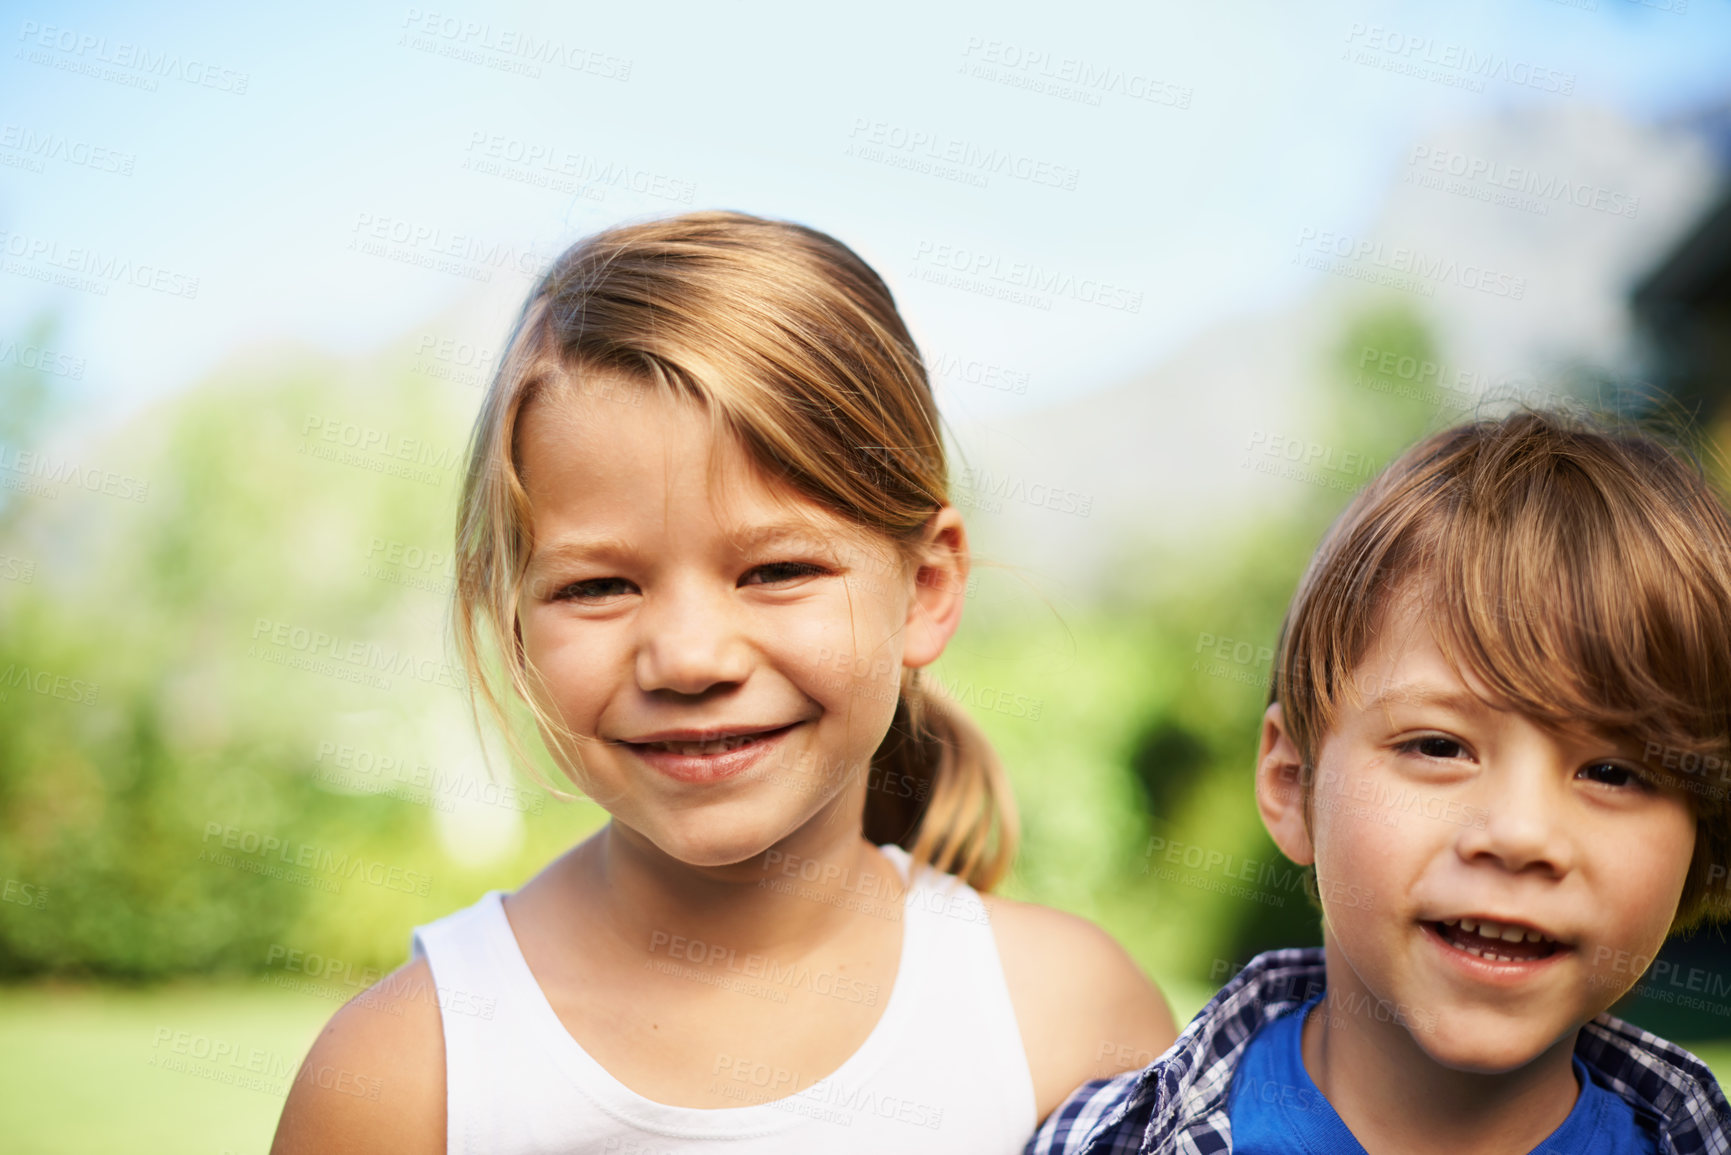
{"points": [[1178, 1106]]}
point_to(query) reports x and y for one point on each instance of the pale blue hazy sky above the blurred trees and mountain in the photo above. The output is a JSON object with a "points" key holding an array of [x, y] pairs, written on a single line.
{"points": [[1187, 150]]}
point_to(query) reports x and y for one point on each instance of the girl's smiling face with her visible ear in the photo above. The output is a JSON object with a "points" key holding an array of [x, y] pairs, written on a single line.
{"points": [[726, 652]]}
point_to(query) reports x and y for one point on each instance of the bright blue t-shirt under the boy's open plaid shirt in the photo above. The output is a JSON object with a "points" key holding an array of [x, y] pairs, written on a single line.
{"points": [[1278, 1111]]}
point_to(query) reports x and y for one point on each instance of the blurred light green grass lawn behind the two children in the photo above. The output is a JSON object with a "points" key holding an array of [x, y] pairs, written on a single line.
{"points": [[203, 1069]]}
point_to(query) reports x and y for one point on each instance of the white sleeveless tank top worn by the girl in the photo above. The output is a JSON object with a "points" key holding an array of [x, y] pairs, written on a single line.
{"points": [[943, 1071]]}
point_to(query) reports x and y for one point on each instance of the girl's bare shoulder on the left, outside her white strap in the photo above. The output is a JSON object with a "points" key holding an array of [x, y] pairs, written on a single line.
{"points": [[375, 1078]]}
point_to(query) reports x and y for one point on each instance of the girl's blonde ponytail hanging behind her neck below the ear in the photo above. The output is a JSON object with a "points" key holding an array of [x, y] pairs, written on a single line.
{"points": [[939, 790]]}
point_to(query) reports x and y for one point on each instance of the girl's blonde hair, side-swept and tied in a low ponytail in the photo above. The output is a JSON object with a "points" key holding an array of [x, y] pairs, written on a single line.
{"points": [[795, 349]]}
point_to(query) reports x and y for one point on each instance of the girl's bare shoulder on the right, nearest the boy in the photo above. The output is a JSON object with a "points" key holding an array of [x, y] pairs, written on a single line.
{"points": [[1086, 1010]]}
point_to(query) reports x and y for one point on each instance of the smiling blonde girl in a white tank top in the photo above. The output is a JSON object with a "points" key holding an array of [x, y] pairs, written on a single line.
{"points": [[705, 524]]}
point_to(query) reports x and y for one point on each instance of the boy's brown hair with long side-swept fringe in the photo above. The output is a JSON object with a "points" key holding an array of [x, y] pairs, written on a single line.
{"points": [[1581, 571]]}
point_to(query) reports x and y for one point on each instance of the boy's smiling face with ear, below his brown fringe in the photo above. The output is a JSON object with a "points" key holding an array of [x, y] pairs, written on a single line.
{"points": [[1434, 813]]}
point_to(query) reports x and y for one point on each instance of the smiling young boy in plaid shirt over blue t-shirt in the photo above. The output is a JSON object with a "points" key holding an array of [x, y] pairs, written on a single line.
{"points": [[1495, 692]]}
